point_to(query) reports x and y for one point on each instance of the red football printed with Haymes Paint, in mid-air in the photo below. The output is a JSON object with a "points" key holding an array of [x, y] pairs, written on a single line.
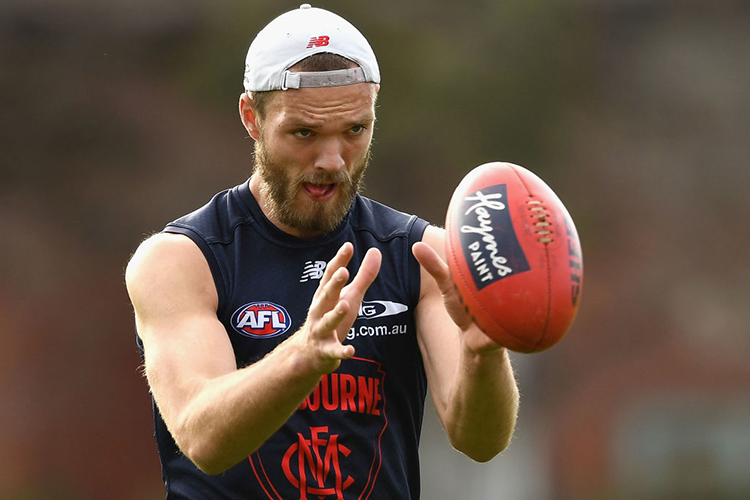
{"points": [[515, 257]]}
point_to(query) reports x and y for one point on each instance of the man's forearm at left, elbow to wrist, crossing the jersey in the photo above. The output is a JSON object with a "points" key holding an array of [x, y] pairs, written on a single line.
{"points": [[227, 418]]}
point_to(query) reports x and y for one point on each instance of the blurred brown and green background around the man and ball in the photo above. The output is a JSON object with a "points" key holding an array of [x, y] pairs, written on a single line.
{"points": [[117, 117]]}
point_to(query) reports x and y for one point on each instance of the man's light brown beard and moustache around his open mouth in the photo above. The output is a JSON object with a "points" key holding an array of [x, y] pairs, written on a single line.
{"points": [[280, 191]]}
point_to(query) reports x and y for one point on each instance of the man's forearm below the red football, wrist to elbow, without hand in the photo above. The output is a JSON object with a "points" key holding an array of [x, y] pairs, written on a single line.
{"points": [[482, 405]]}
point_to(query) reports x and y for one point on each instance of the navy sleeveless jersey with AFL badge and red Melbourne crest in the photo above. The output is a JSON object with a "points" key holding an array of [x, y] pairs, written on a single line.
{"points": [[356, 435]]}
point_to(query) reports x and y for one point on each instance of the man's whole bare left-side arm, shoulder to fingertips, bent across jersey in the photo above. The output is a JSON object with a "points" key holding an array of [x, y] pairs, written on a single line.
{"points": [[218, 414]]}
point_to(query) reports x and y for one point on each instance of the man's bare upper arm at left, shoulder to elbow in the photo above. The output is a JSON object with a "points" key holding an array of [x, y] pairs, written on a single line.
{"points": [[175, 302]]}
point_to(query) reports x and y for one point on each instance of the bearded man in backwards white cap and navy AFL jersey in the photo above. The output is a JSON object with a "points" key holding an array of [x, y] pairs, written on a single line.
{"points": [[290, 326]]}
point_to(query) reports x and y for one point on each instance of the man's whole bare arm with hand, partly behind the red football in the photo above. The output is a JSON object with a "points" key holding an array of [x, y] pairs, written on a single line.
{"points": [[470, 377]]}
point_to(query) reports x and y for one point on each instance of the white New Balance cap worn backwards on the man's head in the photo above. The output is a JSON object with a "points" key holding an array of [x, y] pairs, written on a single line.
{"points": [[298, 34]]}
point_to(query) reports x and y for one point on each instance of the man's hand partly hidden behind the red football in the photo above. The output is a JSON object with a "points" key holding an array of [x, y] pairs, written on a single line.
{"points": [[429, 259]]}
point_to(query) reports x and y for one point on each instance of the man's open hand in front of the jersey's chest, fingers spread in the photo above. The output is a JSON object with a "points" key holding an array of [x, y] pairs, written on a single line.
{"points": [[335, 306]]}
